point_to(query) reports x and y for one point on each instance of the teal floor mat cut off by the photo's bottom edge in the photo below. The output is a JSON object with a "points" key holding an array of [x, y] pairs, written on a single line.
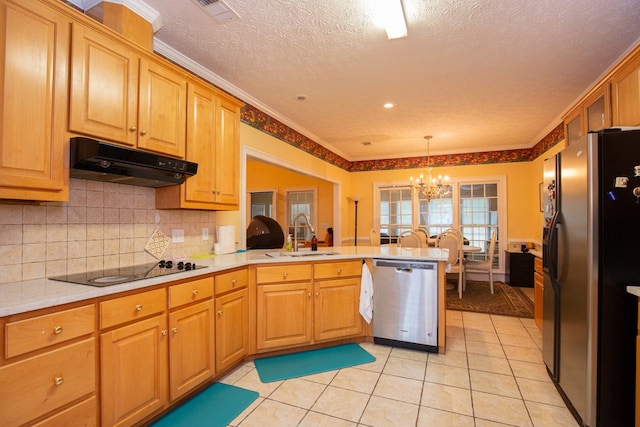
{"points": [[215, 406]]}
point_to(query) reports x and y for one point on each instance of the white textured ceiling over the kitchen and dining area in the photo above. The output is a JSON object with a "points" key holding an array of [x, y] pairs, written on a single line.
{"points": [[478, 75]]}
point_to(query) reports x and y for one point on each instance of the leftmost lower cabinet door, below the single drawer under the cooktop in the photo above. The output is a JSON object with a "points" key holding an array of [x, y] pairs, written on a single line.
{"points": [[134, 371]]}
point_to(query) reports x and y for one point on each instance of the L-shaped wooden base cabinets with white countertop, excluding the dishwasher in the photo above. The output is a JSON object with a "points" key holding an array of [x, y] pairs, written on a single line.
{"points": [[238, 306]]}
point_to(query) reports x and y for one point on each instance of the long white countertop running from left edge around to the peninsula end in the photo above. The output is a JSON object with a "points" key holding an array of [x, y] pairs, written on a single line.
{"points": [[20, 297]]}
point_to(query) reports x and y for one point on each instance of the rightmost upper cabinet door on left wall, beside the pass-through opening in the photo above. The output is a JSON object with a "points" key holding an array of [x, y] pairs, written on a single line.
{"points": [[227, 155]]}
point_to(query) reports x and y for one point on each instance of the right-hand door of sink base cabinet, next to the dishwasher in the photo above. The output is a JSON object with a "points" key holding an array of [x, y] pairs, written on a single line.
{"points": [[336, 309]]}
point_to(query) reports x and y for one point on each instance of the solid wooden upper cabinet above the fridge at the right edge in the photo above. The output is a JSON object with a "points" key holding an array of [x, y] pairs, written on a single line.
{"points": [[625, 93]]}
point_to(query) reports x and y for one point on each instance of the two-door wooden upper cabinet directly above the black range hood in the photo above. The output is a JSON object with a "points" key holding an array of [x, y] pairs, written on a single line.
{"points": [[120, 96]]}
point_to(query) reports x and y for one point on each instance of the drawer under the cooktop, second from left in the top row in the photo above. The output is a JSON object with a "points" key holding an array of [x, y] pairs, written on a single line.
{"points": [[132, 307]]}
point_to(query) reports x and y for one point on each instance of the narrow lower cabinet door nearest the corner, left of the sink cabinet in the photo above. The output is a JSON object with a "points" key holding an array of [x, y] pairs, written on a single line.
{"points": [[232, 328]]}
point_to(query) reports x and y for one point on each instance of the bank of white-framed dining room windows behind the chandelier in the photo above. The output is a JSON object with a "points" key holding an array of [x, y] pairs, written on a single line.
{"points": [[475, 206]]}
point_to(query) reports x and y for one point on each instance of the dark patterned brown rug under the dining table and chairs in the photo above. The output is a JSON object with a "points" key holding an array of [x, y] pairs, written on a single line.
{"points": [[506, 301]]}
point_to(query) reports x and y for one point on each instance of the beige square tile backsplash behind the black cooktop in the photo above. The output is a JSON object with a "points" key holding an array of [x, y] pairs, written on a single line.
{"points": [[103, 225]]}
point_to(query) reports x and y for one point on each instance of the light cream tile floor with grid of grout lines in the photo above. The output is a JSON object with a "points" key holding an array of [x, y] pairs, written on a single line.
{"points": [[491, 375]]}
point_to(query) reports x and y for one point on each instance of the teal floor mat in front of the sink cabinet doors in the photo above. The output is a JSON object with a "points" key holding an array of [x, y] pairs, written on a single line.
{"points": [[303, 363]]}
